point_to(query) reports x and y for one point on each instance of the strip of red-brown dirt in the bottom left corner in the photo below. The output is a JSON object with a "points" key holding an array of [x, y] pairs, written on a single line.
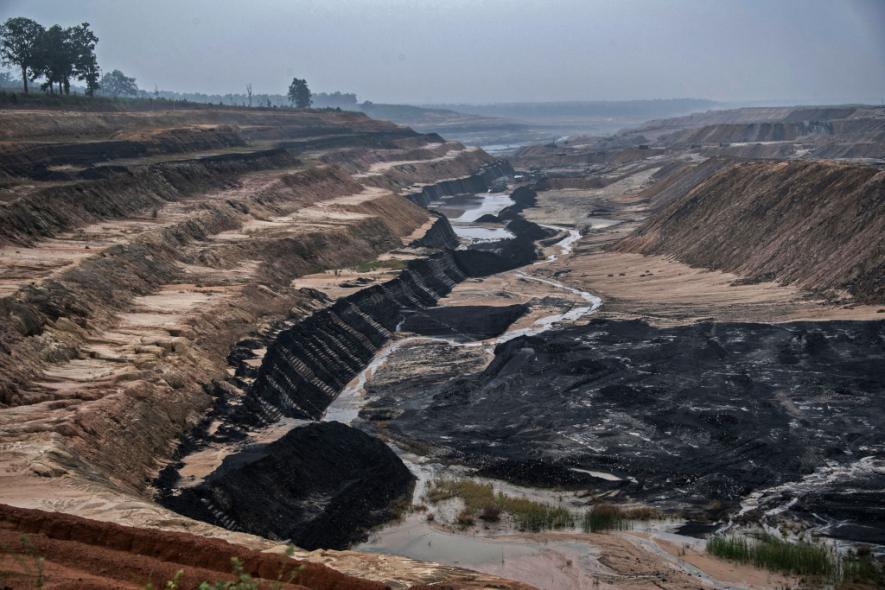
{"points": [[52, 550]]}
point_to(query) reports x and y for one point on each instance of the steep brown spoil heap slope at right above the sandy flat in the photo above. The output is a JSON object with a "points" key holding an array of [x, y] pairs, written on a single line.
{"points": [[817, 224]]}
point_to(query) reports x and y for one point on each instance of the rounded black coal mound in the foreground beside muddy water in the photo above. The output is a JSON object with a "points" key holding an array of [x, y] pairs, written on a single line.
{"points": [[319, 486]]}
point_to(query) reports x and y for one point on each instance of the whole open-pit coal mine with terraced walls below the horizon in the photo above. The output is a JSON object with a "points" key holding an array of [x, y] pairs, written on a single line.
{"points": [[420, 365]]}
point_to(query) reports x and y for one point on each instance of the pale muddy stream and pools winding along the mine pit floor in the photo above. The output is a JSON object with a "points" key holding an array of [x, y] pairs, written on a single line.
{"points": [[548, 560]]}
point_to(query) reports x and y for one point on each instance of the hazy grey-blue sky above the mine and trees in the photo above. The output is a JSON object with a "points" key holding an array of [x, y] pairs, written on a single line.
{"points": [[434, 51]]}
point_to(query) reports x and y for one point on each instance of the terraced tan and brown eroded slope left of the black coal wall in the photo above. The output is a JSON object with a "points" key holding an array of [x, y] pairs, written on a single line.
{"points": [[125, 291]]}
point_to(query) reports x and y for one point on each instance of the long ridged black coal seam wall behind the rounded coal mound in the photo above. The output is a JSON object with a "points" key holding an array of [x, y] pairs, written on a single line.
{"points": [[355, 343]]}
